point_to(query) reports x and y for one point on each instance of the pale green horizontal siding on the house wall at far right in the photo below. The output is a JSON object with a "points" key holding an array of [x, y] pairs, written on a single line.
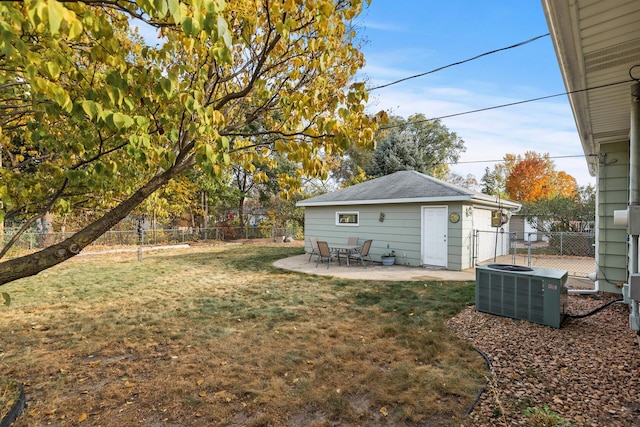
{"points": [[612, 194]]}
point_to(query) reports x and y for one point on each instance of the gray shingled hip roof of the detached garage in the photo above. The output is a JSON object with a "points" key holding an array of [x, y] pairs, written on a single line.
{"points": [[404, 187]]}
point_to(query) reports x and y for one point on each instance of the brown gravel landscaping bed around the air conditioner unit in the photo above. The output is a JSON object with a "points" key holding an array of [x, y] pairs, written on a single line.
{"points": [[586, 373]]}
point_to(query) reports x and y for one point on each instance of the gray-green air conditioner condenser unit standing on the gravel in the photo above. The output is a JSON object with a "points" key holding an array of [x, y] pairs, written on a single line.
{"points": [[538, 295]]}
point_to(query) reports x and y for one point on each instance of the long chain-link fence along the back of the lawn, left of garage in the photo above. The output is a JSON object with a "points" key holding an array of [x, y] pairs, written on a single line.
{"points": [[151, 237]]}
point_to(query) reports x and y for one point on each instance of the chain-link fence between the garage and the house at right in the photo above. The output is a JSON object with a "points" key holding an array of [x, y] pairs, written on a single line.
{"points": [[570, 251]]}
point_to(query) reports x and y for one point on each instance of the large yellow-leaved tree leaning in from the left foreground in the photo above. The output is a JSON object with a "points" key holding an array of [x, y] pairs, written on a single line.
{"points": [[92, 116]]}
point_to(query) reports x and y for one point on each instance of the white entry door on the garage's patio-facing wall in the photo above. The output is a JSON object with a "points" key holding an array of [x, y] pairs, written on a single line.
{"points": [[434, 236]]}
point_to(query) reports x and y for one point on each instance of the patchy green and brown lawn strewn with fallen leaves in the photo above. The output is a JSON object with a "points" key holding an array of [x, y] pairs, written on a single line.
{"points": [[216, 336]]}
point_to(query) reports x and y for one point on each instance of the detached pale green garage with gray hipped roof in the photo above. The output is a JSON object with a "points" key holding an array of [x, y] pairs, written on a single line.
{"points": [[425, 221]]}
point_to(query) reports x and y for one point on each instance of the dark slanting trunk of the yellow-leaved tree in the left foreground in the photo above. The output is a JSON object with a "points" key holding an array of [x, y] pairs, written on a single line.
{"points": [[32, 264]]}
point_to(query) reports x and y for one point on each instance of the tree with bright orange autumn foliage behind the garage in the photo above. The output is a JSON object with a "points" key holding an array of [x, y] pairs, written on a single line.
{"points": [[534, 178]]}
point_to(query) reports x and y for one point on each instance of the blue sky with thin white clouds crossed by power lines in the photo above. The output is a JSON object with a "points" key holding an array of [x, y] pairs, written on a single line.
{"points": [[401, 38]]}
